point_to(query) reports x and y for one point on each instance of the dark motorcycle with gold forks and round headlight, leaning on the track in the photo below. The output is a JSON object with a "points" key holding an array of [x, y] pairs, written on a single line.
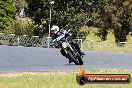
{"points": [[67, 49]]}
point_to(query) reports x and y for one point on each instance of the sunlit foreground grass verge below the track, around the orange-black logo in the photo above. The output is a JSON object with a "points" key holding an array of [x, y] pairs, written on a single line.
{"points": [[56, 80]]}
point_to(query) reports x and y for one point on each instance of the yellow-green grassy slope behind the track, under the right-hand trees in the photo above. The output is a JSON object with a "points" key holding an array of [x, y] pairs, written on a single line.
{"points": [[93, 42]]}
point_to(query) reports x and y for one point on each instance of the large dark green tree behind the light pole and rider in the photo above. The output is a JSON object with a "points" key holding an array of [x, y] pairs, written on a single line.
{"points": [[67, 13]]}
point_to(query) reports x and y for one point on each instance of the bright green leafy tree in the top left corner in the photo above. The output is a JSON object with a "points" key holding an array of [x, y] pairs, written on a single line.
{"points": [[7, 14]]}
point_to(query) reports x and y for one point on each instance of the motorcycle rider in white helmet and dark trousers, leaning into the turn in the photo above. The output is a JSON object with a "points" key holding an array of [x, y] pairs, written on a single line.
{"points": [[56, 35]]}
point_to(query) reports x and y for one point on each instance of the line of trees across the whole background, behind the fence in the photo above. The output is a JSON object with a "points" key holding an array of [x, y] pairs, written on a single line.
{"points": [[113, 15]]}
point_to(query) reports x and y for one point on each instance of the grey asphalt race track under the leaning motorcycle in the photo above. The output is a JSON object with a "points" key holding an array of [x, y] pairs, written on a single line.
{"points": [[23, 59]]}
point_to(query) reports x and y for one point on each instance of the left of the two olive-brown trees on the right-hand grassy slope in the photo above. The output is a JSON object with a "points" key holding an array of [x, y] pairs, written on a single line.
{"points": [[101, 18]]}
